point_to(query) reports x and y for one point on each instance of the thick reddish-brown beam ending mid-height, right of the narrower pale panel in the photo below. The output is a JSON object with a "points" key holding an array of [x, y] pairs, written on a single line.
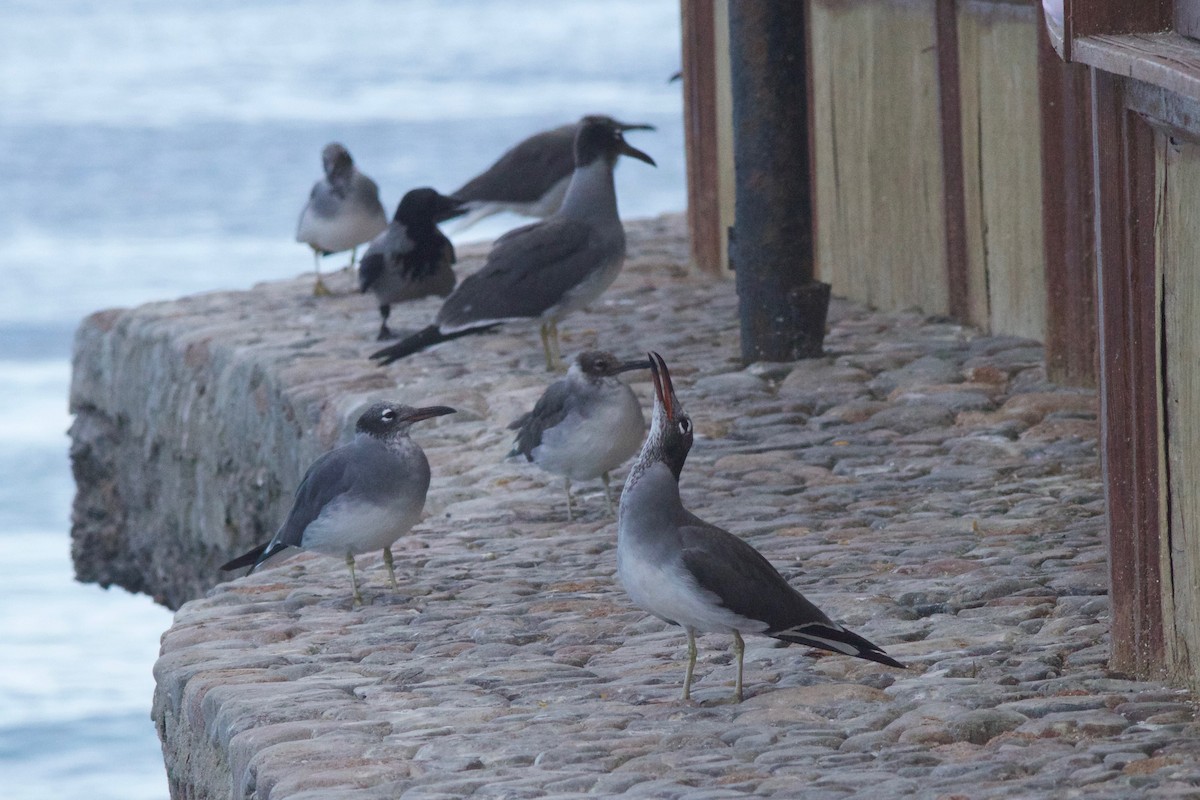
{"points": [[1069, 222]]}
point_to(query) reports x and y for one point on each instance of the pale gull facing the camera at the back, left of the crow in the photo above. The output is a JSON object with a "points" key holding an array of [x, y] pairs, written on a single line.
{"points": [[343, 213]]}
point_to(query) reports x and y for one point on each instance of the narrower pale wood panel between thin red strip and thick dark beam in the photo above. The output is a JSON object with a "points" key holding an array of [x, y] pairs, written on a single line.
{"points": [[1003, 169]]}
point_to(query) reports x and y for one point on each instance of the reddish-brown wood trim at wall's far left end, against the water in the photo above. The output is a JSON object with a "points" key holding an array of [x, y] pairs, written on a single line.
{"points": [[700, 133]]}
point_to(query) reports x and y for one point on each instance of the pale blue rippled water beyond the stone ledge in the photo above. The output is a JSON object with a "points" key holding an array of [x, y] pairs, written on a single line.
{"points": [[151, 151]]}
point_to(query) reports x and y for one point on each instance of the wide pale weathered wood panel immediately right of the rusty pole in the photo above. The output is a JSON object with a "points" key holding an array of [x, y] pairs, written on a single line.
{"points": [[878, 153]]}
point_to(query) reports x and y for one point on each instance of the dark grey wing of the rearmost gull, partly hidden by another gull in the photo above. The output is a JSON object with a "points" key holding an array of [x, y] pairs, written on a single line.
{"points": [[527, 171]]}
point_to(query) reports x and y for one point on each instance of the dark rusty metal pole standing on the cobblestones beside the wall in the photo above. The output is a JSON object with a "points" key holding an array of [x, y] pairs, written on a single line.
{"points": [[782, 305]]}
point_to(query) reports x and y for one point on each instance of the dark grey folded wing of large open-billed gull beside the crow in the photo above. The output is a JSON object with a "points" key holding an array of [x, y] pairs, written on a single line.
{"points": [[529, 272]]}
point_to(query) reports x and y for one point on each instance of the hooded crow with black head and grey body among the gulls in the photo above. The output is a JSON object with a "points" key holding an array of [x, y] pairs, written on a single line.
{"points": [[412, 258]]}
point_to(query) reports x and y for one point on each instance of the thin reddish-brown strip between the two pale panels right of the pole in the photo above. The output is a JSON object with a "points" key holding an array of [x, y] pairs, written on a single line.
{"points": [[953, 193]]}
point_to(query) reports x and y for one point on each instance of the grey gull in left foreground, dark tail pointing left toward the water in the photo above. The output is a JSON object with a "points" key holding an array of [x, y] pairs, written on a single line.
{"points": [[361, 497]]}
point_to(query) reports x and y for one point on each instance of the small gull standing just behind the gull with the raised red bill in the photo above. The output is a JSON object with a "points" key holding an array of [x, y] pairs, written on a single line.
{"points": [[585, 425]]}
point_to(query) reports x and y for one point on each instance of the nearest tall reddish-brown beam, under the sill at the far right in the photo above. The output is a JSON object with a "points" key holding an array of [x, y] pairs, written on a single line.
{"points": [[1131, 414]]}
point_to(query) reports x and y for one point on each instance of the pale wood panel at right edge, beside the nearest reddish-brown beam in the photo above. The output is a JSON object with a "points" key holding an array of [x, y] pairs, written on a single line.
{"points": [[1179, 252]]}
